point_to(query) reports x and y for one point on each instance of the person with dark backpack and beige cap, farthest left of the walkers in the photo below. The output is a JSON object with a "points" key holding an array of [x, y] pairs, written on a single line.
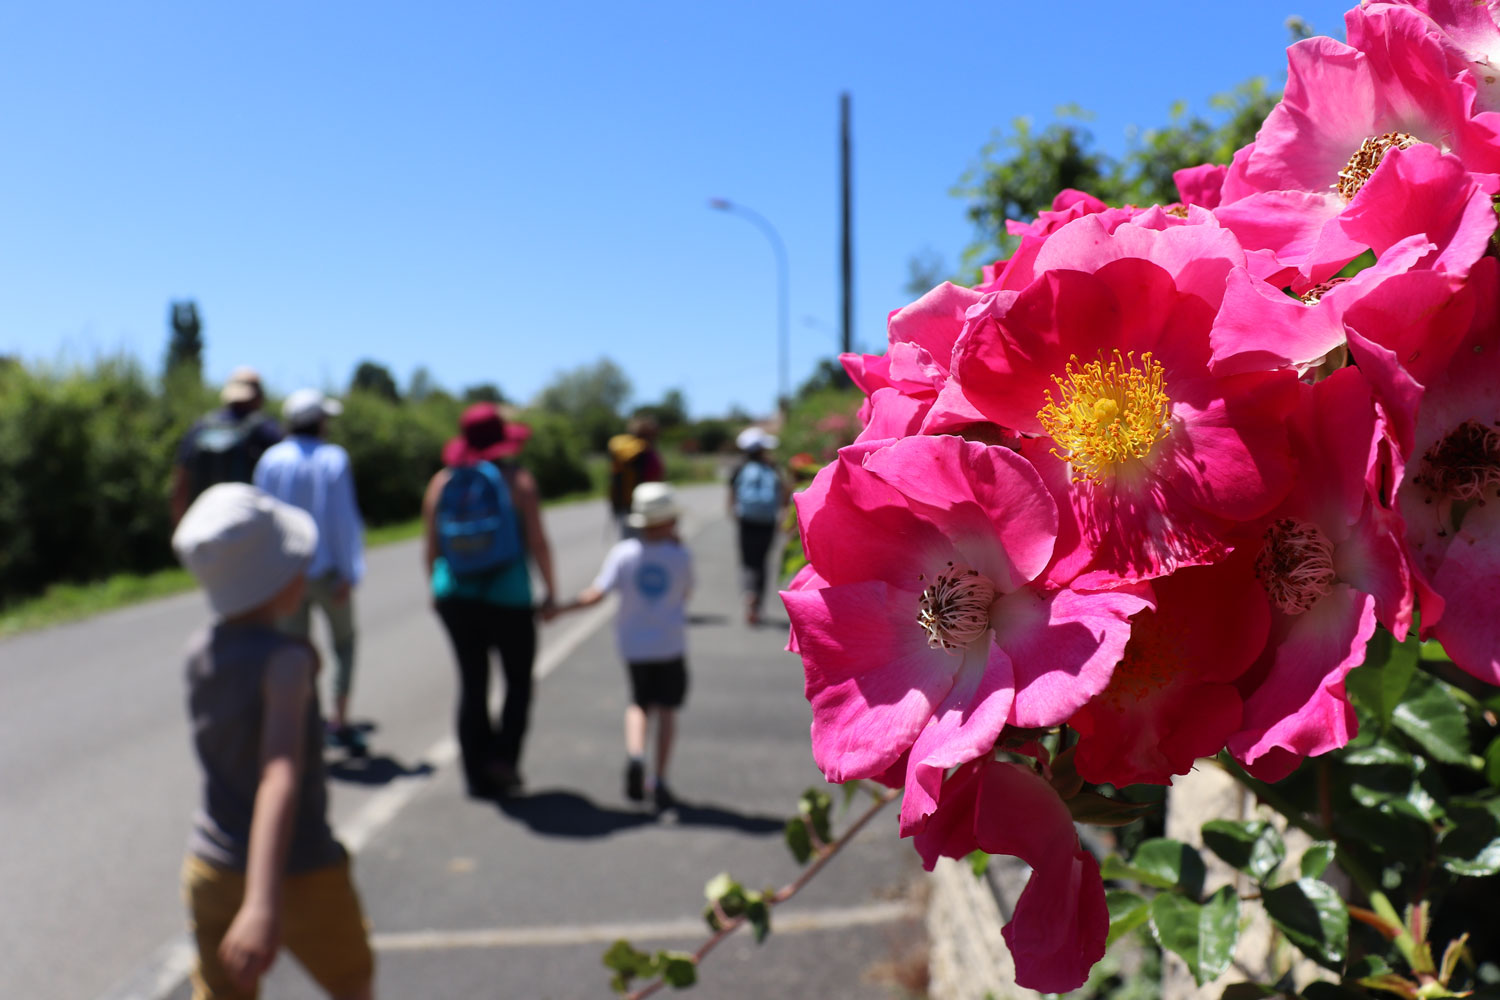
{"points": [[224, 446]]}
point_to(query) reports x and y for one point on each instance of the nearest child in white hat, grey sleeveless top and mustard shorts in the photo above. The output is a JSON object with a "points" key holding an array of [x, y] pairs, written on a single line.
{"points": [[263, 867]]}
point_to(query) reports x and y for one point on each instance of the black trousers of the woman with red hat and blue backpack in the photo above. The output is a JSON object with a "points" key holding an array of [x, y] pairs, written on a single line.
{"points": [[475, 629]]}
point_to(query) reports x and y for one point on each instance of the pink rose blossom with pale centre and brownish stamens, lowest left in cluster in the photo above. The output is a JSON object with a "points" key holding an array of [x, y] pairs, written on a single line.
{"points": [[928, 638]]}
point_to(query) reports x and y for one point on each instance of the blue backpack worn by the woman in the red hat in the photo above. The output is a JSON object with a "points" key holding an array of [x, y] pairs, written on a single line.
{"points": [[476, 519]]}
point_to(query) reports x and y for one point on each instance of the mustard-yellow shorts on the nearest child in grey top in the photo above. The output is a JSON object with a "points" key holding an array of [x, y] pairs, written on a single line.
{"points": [[323, 927]]}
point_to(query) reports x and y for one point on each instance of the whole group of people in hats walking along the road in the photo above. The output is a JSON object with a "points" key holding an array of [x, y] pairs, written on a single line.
{"points": [[271, 528]]}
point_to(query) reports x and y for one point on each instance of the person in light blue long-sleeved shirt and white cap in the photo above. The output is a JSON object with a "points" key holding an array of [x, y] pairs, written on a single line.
{"points": [[310, 473]]}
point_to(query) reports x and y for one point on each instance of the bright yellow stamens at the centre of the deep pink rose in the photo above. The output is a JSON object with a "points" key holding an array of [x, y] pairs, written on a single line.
{"points": [[1106, 415]]}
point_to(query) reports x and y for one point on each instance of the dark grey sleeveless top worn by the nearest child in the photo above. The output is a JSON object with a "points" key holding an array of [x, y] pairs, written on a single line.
{"points": [[226, 705]]}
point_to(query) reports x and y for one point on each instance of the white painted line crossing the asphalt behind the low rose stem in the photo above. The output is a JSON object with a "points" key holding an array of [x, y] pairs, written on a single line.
{"points": [[833, 920]]}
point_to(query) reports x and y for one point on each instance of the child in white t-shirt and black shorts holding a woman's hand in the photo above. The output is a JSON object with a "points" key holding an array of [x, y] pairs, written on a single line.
{"points": [[655, 578]]}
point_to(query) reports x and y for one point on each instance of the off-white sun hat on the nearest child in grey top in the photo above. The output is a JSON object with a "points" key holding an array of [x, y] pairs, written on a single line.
{"points": [[244, 546]]}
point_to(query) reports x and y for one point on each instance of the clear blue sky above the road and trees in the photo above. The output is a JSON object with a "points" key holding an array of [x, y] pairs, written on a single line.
{"points": [[505, 191]]}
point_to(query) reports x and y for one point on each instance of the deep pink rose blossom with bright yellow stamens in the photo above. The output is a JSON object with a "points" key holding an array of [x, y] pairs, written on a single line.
{"points": [[1105, 359]]}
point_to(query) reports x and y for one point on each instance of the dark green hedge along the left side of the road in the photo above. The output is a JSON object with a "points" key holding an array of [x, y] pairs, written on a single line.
{"points": [[86, 458]]}
